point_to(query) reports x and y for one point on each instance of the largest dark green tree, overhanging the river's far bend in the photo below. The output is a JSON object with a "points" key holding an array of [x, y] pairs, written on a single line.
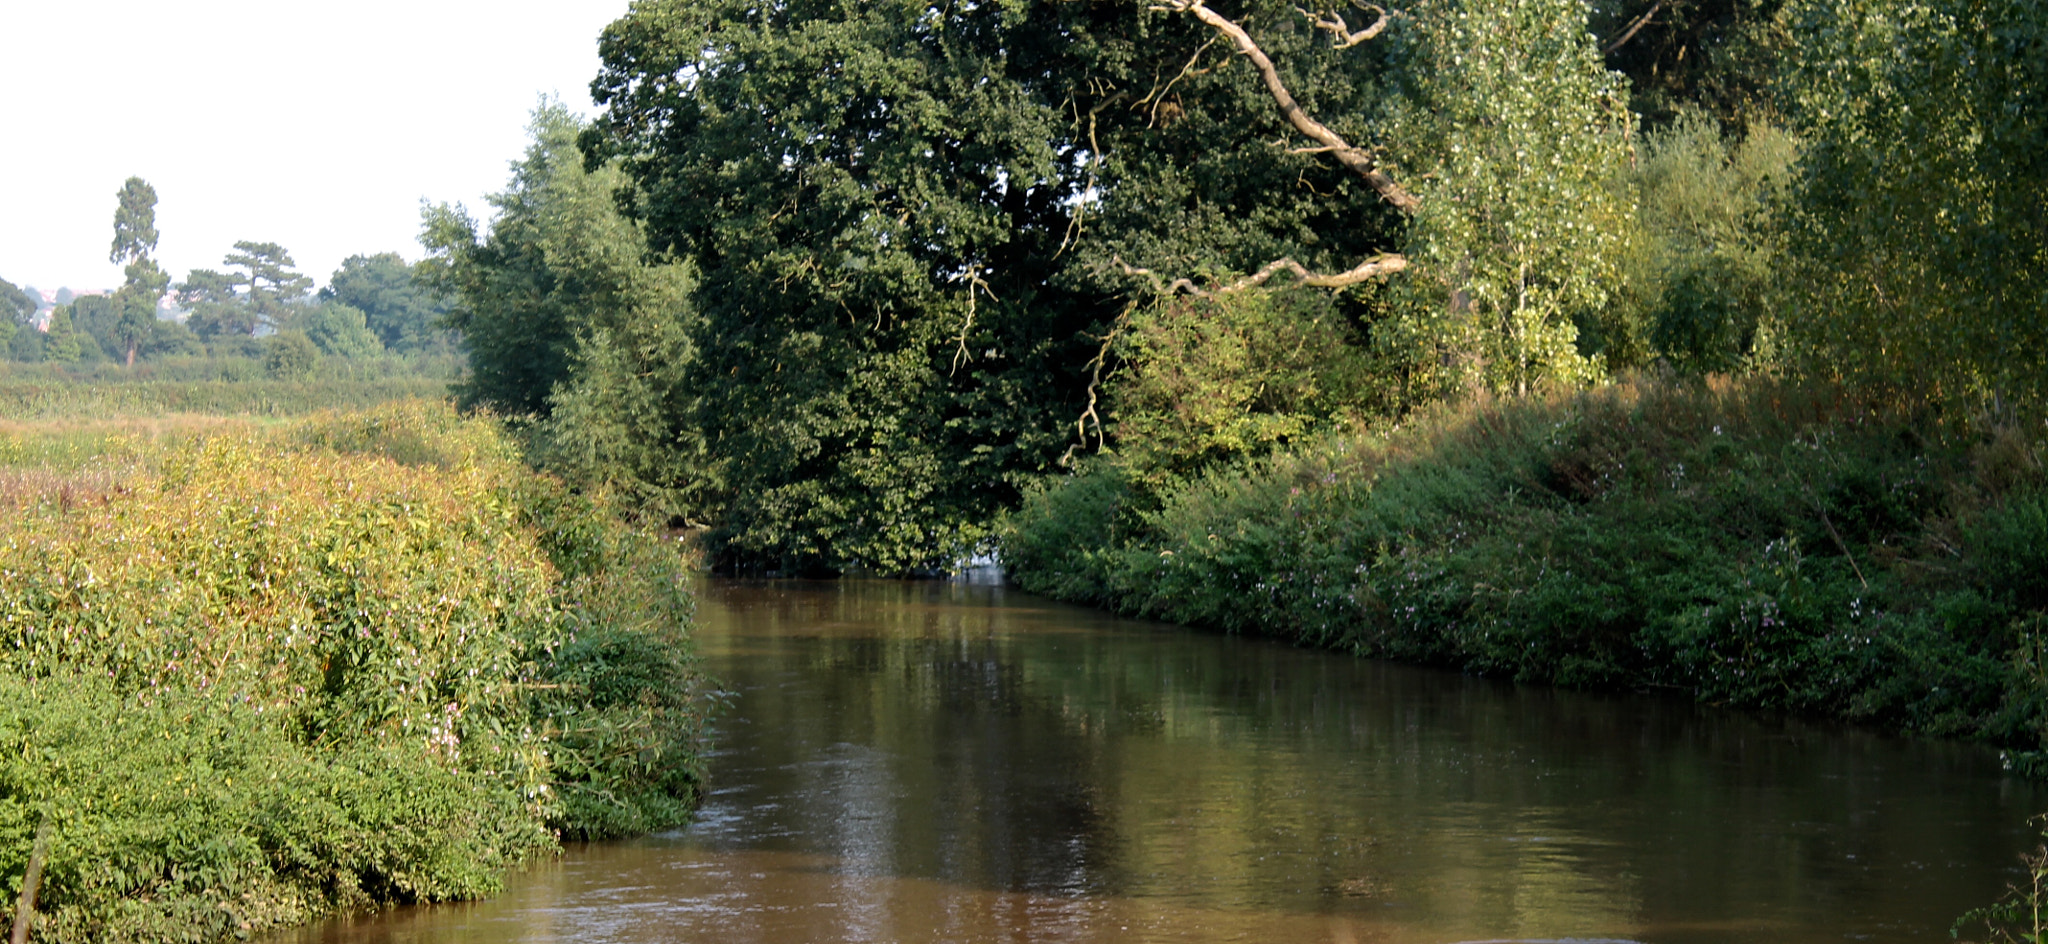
{"points": [[916, 224]]}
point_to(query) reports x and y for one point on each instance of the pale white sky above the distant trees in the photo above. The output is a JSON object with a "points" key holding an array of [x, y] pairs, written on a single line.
{"points": [[312, 126]]}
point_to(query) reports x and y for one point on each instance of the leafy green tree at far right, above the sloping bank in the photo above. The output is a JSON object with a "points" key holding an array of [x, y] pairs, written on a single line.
{"points": [[1920, 232]]}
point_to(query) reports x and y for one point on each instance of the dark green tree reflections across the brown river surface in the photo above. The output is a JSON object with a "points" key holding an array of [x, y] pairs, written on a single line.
{"points": [[933, 732]]}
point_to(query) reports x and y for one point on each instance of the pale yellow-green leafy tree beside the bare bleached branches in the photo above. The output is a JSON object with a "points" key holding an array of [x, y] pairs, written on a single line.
{"points": [[1521, 136]]}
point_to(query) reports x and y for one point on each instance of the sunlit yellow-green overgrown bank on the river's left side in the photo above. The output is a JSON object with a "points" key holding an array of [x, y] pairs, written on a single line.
{"points": [[263, 671]]}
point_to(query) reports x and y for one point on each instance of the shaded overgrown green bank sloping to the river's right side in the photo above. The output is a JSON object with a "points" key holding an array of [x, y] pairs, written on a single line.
{"points": [[1750, 546]]}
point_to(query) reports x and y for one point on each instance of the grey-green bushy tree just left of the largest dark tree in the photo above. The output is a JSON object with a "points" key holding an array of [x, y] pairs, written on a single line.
{"points": [[570, 320]]}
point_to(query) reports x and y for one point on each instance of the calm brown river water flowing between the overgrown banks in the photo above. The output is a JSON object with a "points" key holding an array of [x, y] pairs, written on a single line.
{"points": [[962, 763]]}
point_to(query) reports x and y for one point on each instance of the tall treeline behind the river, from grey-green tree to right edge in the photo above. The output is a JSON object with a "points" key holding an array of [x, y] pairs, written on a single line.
{"points": [[843, 284]]}
